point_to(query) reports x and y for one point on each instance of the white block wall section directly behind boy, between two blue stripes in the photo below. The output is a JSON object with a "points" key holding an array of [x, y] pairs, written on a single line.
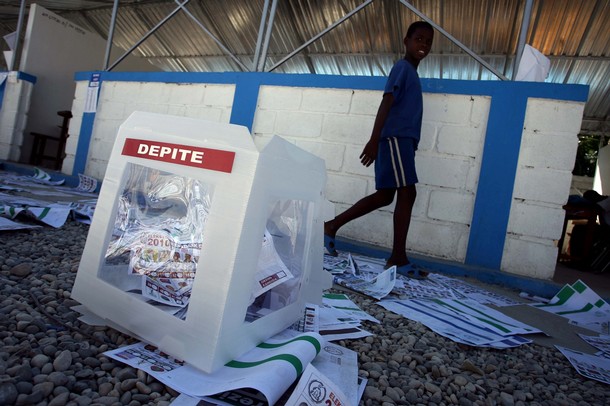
{"points": [[335, 124]]}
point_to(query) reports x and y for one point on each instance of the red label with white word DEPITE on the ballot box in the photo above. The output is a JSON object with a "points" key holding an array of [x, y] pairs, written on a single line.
{"points": [[205, 158]]}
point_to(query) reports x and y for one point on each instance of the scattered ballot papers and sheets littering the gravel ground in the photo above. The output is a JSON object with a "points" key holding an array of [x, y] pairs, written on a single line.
{"points": [[306, 354]]}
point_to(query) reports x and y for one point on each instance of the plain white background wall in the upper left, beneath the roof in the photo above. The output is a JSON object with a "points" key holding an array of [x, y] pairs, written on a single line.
{"points": [[54, 49]]}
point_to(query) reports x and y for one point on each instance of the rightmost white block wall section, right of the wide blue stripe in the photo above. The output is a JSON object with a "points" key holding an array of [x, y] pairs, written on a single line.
{"points": [[542, 185]]}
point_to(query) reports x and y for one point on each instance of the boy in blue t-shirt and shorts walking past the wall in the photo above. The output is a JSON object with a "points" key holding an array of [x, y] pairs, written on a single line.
{"points": [[392, 147]]}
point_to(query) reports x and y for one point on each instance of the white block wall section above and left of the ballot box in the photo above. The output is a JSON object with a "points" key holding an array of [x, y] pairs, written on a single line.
{"points": [[117, 100]]}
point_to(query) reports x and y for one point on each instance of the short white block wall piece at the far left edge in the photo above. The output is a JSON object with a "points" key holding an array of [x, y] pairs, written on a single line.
{"points": [[18, 89]]}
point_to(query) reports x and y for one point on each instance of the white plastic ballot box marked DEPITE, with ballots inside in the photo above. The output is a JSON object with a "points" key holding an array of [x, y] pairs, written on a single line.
{"points": [[201, 244]]}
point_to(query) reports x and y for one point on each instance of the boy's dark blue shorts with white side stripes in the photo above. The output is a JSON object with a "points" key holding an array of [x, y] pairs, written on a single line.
{"points": [[395, 163]]}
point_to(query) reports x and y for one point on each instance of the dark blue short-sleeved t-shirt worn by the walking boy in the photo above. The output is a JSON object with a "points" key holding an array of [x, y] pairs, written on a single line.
{"points": [[405, 116]]}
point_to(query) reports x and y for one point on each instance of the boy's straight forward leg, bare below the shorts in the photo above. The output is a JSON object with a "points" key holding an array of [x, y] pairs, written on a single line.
{"points": [[402, 219]]}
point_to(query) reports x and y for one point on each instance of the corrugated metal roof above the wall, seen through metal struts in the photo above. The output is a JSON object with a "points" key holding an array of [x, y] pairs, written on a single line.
{"points": [[575, 35]]}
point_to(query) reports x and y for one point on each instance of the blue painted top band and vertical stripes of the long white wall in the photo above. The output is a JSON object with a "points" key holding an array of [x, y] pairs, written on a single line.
{"points": [[500, 153]]}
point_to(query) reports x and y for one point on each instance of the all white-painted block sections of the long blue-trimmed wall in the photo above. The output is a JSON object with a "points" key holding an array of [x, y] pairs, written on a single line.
{"points": [[336, 123]]}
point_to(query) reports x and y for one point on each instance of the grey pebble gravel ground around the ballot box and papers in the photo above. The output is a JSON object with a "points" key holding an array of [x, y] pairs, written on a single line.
{"points": [[48, 357]]}
